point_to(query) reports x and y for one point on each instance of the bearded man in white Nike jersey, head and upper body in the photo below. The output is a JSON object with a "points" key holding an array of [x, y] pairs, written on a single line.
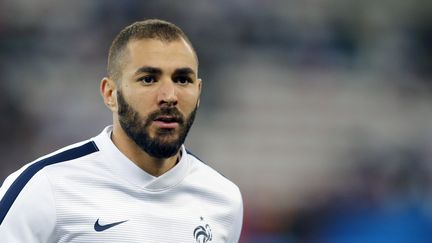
{"points": [[134, 182]]}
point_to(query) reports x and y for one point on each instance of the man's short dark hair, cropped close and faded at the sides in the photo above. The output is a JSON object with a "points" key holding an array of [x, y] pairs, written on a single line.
{"points": [[147, 29]]}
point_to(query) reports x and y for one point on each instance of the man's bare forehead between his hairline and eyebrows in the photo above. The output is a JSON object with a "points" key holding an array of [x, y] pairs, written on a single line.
{"points": [[160, 54]]}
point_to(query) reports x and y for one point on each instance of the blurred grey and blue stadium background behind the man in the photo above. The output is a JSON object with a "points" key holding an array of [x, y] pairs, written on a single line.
{"points": [[320, 110]]}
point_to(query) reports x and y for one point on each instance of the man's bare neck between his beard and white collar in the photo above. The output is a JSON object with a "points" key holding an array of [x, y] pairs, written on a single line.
{"points": [[153, 166]]}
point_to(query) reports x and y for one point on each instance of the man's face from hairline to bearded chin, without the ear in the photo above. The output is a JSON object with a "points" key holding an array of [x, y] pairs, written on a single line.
{"points": [[158, 95]]}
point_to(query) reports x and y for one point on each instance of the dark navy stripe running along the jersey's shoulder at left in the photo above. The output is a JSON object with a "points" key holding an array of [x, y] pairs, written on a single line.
{"points": [[20, 182]]}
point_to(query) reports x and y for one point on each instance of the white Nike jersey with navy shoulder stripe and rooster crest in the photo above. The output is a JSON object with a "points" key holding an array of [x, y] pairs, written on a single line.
{"points": [[91, 192]]}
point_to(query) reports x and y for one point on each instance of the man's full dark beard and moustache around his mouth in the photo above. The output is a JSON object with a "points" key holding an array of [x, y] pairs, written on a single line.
{"points": [[162, 145]]}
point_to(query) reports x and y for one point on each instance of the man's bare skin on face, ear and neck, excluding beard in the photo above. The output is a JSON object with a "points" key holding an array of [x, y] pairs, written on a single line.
{"points": [[148, 92]]}
